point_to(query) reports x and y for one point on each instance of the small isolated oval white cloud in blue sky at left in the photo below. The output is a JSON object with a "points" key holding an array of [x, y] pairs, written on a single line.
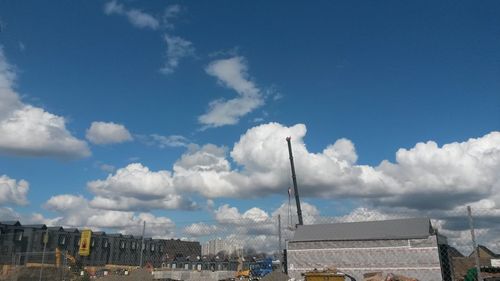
{"points": [[107, 133]]}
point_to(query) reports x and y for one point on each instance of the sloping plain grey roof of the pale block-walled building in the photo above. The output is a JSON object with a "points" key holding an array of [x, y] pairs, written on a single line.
{"points": [[413, 228]]}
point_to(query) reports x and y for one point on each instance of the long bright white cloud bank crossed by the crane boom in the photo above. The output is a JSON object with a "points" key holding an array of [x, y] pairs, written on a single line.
{"points": [[425, 176]]}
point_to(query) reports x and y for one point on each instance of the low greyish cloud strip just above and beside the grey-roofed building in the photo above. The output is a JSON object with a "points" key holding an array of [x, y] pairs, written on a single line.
{"points": [[258, 229]]}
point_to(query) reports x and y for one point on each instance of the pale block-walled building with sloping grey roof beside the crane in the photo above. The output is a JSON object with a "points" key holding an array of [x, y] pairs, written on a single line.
{"points": [[409, 247]]}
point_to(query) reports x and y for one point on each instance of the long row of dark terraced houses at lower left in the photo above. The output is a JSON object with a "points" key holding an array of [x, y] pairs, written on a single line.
{"points": [[19, 243]]}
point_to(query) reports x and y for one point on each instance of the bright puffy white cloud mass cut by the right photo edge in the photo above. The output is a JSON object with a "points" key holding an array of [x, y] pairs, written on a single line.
{"points": [[431, 176]]}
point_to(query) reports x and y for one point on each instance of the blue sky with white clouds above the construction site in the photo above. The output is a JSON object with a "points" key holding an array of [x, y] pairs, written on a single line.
{"points": [[379, 76]]}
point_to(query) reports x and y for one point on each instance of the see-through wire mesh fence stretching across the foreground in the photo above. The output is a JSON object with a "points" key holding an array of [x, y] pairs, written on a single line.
{"points": [[464, 241]]}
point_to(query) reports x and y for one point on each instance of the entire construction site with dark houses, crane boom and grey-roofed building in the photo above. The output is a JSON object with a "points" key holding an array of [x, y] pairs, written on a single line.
{"points": [[404, 249]]}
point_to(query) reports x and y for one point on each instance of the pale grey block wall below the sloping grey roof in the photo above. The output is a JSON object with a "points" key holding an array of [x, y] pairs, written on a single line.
{"points": [[417, 258]]}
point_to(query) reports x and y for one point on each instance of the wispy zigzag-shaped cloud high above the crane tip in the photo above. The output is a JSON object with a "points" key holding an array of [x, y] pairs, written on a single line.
{"points": [[233, 74]]}
